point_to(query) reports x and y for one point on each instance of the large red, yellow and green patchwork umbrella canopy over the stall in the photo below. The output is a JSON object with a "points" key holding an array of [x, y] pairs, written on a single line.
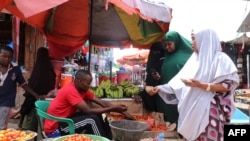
{"points": [[69, 25]]}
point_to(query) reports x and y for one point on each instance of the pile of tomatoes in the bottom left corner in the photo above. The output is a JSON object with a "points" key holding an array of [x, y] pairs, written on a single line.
{"points": [[17, 135]]}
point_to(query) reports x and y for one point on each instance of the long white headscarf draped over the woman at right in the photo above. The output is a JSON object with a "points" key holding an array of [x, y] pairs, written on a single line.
{"points": [[209, 65]]}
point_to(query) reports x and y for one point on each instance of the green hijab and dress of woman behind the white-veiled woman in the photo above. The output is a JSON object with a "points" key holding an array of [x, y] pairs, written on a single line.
{"points": [[172, 63]]}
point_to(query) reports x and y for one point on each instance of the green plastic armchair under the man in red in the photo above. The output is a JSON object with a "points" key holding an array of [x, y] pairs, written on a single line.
{"points": [[41, 109]]}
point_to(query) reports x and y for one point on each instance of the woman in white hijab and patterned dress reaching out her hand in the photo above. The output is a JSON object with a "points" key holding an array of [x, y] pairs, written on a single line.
{"points": [[204, 88]]}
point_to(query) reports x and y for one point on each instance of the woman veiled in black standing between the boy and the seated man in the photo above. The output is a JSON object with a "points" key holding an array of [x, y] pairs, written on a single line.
{"points": [[42, 80]]}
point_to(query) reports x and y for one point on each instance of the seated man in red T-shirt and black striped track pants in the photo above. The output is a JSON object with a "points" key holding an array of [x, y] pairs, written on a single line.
{"points": [[71, 101]]}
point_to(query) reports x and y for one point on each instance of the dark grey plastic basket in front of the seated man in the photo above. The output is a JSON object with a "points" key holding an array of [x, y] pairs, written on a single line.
{"points": [[127, 130]]}
